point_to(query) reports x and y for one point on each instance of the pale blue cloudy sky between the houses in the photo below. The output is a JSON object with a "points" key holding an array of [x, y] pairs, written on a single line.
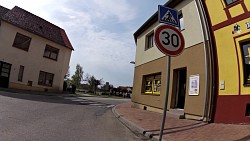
{"points": [[101, 32]]}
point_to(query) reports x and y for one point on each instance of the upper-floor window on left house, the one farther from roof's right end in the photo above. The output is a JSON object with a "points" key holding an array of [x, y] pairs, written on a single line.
{"points": [[22, 42]]}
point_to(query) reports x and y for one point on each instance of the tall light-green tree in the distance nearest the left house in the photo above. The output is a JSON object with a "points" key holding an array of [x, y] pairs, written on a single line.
{"points": [[77, 78]]}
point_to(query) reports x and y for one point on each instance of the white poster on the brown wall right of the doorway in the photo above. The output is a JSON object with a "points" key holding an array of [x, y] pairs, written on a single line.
{"points": [[194, 84]]}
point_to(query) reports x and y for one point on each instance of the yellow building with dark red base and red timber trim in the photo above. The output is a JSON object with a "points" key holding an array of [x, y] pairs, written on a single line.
{"points": [[229, 20]]}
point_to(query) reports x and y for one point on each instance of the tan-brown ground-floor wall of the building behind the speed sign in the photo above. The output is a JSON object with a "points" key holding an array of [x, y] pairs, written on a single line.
{"points": [[193, 60]]}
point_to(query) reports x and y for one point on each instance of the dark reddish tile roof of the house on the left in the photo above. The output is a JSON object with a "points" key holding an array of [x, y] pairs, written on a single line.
{"points": [[32, 23]]}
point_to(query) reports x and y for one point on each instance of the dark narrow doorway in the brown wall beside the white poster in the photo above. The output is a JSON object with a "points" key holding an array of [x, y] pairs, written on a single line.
{"points": [[179, 88]]}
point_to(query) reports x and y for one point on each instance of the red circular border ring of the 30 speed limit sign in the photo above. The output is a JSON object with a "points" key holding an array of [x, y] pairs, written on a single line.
{"points": [[159, 45]]}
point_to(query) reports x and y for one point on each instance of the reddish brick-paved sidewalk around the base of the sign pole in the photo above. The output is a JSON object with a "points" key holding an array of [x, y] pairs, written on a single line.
{"points": [[149, 123]]}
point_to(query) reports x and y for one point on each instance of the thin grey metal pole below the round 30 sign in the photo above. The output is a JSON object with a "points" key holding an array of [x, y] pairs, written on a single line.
{"points": [[166, 99]]}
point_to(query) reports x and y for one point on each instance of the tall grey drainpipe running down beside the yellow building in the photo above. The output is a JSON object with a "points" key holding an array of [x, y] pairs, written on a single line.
{"points": [[205, 31]]}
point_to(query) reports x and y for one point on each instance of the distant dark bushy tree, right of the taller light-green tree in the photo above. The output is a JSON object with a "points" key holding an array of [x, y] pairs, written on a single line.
{"points": [[93, 82]]}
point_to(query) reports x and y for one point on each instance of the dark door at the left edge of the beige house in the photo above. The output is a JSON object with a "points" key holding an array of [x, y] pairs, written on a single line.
{"points": [[4, 74]]}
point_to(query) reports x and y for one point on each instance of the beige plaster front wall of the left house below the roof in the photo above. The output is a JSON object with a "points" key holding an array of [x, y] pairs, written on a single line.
{"points": [[33, 60]]}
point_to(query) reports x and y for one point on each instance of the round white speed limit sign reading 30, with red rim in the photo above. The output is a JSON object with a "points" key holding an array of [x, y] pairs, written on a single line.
{"points": [[169, 40]]}
